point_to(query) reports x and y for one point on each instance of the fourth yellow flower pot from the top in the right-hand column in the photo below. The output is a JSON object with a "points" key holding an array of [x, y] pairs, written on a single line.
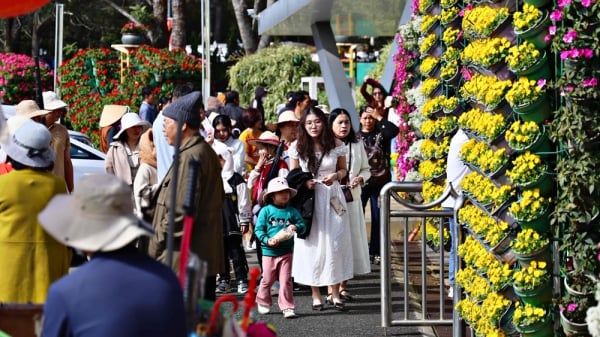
{"points": [[527, 136]]}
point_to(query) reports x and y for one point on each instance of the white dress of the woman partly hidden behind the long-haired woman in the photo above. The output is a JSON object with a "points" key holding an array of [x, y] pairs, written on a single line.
{"points": [[359, 166]]}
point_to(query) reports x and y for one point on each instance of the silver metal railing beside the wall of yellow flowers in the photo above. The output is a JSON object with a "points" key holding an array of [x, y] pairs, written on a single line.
{"points": [[411, 210]]}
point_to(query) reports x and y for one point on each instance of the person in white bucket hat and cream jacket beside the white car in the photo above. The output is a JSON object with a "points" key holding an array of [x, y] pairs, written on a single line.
{"points": [[122, 158]]}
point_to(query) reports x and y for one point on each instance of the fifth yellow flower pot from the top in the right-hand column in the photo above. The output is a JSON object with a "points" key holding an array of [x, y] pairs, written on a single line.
{"points": [[530, 172]]}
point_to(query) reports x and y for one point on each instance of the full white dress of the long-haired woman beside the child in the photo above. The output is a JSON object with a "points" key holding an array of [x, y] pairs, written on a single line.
{"points": [[325, 256]]}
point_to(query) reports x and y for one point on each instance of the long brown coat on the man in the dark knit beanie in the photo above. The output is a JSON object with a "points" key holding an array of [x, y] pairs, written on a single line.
{"points": [[207, 237]]}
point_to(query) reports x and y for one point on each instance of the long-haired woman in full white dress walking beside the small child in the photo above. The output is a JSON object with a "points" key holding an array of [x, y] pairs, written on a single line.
{"points": [[324, 258]]}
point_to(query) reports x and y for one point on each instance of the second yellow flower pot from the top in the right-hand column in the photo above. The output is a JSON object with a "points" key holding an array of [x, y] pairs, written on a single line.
{"points": [[526, 61]]}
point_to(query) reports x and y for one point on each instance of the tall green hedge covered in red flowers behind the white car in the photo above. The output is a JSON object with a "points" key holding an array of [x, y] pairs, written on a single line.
{"points": [[90, 80]]}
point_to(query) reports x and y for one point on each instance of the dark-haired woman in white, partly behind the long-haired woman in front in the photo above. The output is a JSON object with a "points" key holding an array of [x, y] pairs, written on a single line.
{"points": [[358, 173]]}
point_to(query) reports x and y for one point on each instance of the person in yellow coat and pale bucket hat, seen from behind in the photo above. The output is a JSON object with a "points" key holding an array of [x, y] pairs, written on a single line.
{"points": [[30, 259]]}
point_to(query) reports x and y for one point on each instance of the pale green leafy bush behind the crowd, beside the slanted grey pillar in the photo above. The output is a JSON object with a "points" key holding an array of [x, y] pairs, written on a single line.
{"points": [[279, 68]]}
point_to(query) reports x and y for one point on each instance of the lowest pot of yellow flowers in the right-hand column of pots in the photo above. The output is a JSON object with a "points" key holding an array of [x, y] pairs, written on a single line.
{"points": [[529, 319]]}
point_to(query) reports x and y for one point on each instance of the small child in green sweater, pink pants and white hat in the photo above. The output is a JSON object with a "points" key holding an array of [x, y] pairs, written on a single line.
{"points": [[274, 230]]}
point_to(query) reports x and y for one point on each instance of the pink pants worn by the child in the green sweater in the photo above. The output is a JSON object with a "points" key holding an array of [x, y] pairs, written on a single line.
{"points": [[276, 268]]}
